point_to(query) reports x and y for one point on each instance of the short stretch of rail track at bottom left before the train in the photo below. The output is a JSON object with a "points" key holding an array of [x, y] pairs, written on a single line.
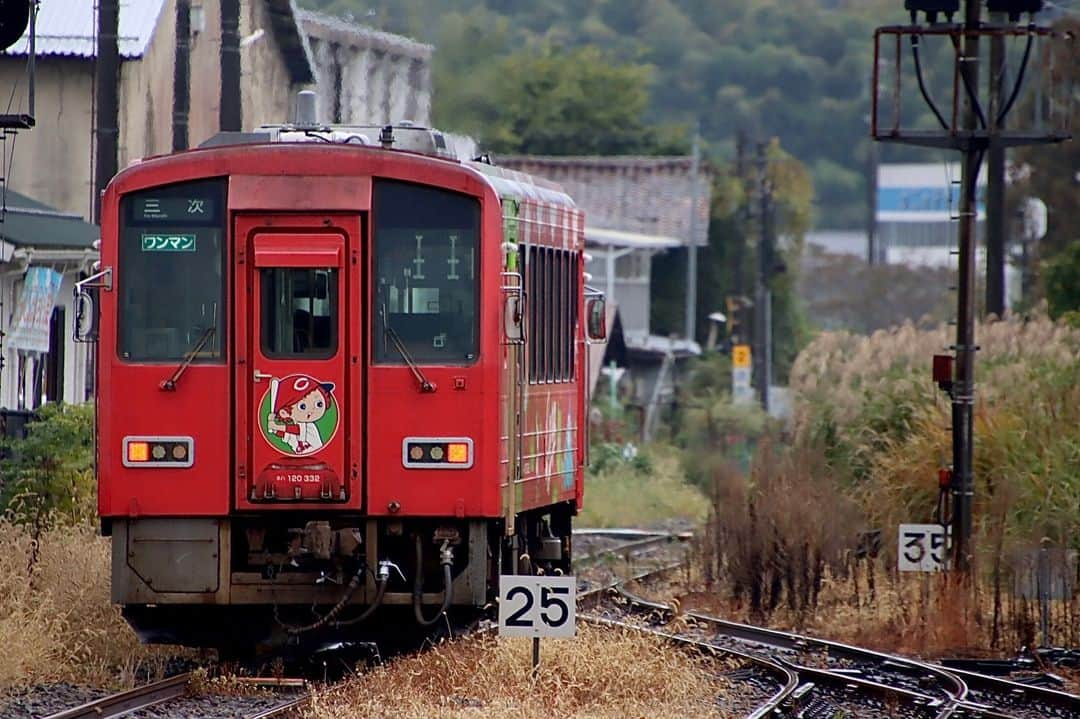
{"points": [[173, 697]]}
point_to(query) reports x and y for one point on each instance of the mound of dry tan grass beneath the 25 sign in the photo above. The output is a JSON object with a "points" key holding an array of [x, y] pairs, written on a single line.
{"points": [[602, 673]]}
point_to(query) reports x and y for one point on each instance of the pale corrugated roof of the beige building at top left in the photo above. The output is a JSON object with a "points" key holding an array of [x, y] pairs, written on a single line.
{"points": [[66, 28]]}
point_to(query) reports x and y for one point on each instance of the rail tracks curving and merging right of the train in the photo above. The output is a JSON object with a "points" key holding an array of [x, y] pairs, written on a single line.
{"points": [[790, 675]]}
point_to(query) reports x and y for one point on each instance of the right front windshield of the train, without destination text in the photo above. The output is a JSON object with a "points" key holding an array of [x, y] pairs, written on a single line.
{"points": [[426, 268]]}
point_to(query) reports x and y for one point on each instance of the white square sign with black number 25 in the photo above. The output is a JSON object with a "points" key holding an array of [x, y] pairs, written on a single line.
{"points": [[537, 606]]}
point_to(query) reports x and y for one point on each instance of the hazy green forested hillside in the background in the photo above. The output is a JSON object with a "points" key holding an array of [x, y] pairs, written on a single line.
{"points": [[793, 70]]}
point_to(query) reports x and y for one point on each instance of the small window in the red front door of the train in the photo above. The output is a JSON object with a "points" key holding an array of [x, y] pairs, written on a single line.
{"points": [[300, 313]]}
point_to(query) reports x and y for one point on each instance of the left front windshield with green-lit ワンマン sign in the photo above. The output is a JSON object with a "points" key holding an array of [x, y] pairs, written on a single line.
{"points": [[170, 280]]}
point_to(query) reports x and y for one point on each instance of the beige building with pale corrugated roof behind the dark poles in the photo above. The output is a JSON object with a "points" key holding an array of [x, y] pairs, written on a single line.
{"points": [[53, 162]]}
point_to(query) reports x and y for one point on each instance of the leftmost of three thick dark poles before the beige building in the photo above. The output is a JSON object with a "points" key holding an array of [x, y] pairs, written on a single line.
{"points": [[107, 79]]}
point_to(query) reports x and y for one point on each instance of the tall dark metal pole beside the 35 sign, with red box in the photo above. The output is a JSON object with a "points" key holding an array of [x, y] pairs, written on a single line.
{"points": [[964, 396]]}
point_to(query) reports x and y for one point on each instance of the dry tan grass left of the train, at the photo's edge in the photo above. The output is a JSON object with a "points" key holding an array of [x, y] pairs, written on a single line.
{"points": [[57, 620]]}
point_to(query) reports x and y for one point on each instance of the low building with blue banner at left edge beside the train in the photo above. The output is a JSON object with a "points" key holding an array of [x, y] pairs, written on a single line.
{"points": [[43, 254]]}
